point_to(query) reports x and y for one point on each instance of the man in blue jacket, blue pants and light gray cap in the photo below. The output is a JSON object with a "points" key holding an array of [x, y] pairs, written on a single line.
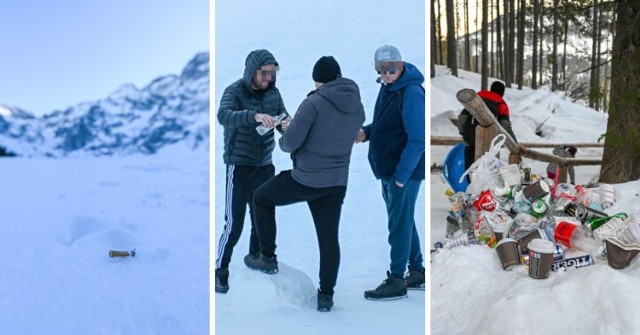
{"points": [[396, 154]]}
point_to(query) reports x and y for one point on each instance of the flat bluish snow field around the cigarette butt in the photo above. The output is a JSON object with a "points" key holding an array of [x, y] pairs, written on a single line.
{"points": [[60, 219]]}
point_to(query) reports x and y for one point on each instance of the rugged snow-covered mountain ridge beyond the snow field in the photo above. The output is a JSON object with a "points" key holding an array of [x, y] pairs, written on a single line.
{"points": [[171, 109]]}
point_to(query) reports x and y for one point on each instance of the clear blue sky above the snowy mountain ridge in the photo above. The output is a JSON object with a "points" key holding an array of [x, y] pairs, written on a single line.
{"points": [[56, 54]]}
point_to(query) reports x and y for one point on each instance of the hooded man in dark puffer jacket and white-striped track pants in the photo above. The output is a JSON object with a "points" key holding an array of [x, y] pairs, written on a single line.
{"points": [[246, 104]]}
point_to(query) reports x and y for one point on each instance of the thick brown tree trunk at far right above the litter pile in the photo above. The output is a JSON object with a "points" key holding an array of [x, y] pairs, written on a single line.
{"points": [[621, 158]]}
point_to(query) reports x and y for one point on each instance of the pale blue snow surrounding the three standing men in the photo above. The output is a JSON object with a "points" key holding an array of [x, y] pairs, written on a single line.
{"points": [[298, 35]]}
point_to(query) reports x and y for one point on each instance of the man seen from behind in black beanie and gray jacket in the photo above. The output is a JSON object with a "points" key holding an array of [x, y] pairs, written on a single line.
{"points": [[320, 138]]}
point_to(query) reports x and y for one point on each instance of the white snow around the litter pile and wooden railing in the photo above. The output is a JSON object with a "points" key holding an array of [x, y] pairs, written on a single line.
{"points": [[470, 293]]}
